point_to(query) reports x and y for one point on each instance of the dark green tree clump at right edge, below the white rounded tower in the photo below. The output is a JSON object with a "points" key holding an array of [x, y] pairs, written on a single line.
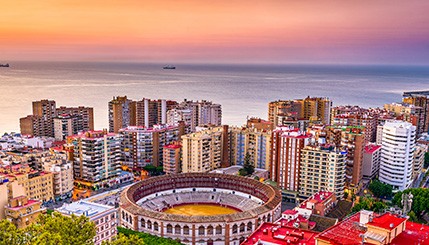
{"points": [[420, 204]]}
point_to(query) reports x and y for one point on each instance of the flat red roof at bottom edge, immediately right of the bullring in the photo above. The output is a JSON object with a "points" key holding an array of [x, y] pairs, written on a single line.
{"points": [[276, 234]]}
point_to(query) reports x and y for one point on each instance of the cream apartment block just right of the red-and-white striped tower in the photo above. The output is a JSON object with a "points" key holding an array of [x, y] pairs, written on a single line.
{"points": [[322, 168]]}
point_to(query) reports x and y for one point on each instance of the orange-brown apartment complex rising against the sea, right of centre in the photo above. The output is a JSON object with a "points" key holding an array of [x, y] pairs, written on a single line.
{"points": [[282, 112]]}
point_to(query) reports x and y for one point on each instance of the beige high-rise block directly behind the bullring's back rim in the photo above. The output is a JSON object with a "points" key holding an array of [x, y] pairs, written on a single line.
{"points": [[203, 151]]}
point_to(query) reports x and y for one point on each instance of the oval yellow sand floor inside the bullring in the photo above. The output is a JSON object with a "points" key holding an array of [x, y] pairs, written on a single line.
{"points": [[200, 210]]}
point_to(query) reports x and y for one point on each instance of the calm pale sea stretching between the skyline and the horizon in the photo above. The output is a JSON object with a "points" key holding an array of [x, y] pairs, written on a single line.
{"points": [[242, 90]]}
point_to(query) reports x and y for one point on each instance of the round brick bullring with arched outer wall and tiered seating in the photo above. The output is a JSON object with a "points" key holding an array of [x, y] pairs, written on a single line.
{"points": [[199, 208]]}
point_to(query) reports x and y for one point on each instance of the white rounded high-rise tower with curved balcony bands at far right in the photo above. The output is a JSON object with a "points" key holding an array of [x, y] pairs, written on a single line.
{"points": [[397, 154]]}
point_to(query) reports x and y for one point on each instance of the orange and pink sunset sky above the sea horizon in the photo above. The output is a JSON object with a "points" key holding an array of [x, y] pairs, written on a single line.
{"points": [[220, 31]]}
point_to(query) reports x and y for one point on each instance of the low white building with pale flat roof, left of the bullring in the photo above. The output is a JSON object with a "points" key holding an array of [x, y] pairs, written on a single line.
{"points": [[105, 218]]}
